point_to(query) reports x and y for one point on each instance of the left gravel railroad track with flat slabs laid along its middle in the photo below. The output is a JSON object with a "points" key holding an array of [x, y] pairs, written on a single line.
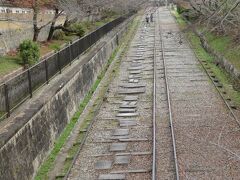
{"points": [[124, 152]]}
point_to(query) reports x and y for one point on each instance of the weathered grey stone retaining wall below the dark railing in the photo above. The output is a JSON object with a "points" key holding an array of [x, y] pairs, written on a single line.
{"points": [[23, 149]]}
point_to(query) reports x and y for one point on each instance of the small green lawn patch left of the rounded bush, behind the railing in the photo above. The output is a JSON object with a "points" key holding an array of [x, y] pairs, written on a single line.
{"points": [[8, 64]]}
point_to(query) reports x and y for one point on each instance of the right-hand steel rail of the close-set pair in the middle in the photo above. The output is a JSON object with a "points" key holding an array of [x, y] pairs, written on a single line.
{"points": [[169, 104]]}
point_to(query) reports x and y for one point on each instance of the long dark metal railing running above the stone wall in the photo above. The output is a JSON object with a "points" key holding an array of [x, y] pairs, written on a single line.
{"points": [[21, 87]]}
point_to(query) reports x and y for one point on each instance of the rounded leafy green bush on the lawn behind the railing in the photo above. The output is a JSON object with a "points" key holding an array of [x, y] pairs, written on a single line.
{"points": [[29, 52]]}
